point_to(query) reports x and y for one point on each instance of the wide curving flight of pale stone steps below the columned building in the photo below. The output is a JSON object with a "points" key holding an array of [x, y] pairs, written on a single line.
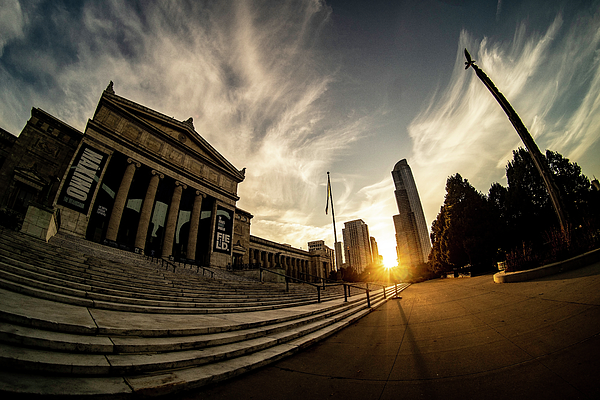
{"points": [[100, 322]]}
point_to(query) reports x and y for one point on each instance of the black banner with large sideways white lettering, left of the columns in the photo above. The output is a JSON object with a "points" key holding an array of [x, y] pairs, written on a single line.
{"points": [[82, 179]]}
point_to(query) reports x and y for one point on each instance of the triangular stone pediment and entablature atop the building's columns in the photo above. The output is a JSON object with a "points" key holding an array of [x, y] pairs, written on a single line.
{"points": [[176, 141]]}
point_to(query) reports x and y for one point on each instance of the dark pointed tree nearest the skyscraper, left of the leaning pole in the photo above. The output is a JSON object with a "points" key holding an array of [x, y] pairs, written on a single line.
{"points": [[464, 230]]}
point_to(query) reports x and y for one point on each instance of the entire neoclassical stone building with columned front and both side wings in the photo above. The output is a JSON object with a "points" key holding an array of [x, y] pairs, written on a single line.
{"points": [[142, 181]]}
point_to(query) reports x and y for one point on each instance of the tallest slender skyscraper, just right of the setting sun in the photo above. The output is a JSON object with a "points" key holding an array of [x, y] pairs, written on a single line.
{"points": [[412, 237]]}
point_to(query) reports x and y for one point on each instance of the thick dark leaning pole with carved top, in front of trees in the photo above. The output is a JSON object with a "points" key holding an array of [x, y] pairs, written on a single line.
{"points": [[534, 151]]}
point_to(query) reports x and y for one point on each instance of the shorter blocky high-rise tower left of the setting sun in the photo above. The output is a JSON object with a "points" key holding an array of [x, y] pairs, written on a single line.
{"points": [[357, 245]]}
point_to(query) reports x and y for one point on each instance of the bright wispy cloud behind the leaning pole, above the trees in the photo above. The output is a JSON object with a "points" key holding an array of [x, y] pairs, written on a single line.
{"points": [[550, 77]]}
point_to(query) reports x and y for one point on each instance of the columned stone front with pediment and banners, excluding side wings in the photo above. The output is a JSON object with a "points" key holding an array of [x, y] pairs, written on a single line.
{"points": [[149, 183]]}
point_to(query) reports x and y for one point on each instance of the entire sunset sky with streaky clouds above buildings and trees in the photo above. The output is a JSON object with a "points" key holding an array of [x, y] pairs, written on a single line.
{"points": [[290, 90]]}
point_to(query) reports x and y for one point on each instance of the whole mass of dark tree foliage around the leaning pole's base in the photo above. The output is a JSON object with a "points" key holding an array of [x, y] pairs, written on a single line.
{"points": [[475, 229]]}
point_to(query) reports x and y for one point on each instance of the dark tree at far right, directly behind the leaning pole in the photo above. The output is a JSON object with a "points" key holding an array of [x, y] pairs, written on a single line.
{"points": [[529, 224]]}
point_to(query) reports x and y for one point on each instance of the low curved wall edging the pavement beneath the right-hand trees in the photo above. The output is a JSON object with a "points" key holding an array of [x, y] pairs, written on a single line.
{"points": [[572, 263]]}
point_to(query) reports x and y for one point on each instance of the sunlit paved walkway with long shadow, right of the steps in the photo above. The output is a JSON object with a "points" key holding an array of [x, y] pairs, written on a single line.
{"points": [[451, 339]]}
